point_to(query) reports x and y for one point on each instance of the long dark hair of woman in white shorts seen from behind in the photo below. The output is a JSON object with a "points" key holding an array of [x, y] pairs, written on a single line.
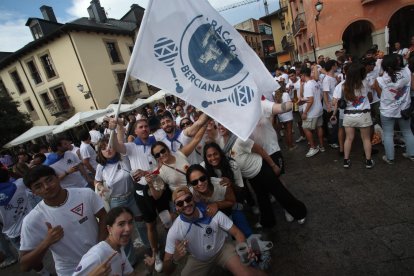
{"points": [[353, 82]]}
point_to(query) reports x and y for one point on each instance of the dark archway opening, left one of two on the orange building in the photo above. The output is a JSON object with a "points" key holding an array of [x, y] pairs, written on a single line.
{"points": [[357, 38]]}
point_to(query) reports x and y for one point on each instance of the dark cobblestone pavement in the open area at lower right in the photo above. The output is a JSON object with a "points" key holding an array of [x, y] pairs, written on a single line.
{"points": [[360, 221]]}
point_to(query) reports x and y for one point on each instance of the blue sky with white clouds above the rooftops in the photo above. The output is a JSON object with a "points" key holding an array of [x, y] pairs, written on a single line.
{"points": [[14, 14]]}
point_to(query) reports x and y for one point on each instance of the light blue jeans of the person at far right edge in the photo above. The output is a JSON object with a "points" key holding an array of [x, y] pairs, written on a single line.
{"points": [[388, 129]]}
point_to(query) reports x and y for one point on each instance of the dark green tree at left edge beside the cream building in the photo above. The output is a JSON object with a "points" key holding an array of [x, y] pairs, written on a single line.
{"points": [[13, 122]]}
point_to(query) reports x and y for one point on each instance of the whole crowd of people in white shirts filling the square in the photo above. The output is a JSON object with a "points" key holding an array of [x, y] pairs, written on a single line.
{"points": [[173, 164]]}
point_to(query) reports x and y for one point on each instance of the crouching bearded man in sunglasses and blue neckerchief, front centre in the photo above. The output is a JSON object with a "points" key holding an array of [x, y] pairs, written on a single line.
{"points": [[204, 238]]}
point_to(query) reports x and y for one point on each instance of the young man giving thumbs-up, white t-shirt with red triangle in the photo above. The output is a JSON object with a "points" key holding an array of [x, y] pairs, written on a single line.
{"points": [[65, 221]]}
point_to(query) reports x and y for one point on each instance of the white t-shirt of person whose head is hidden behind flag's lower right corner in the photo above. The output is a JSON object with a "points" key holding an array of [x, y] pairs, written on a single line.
{"points": [[264, 134]]}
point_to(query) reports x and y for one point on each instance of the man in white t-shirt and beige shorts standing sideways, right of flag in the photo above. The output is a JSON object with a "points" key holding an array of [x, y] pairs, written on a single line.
{"points": [[312, 112]]}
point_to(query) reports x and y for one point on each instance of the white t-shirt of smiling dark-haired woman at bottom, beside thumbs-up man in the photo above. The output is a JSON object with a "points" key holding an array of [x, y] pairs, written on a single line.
{"points": [[99, 254]]}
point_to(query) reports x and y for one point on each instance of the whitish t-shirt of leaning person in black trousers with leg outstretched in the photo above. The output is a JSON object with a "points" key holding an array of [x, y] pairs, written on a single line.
{"points": [[249, 163]]}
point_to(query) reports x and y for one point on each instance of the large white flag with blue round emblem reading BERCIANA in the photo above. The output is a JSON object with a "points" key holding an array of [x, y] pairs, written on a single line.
{"points": [[188, 49]]}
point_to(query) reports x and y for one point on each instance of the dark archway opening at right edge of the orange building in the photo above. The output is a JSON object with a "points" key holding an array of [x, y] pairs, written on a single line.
{"points": [[401, 27]]}
